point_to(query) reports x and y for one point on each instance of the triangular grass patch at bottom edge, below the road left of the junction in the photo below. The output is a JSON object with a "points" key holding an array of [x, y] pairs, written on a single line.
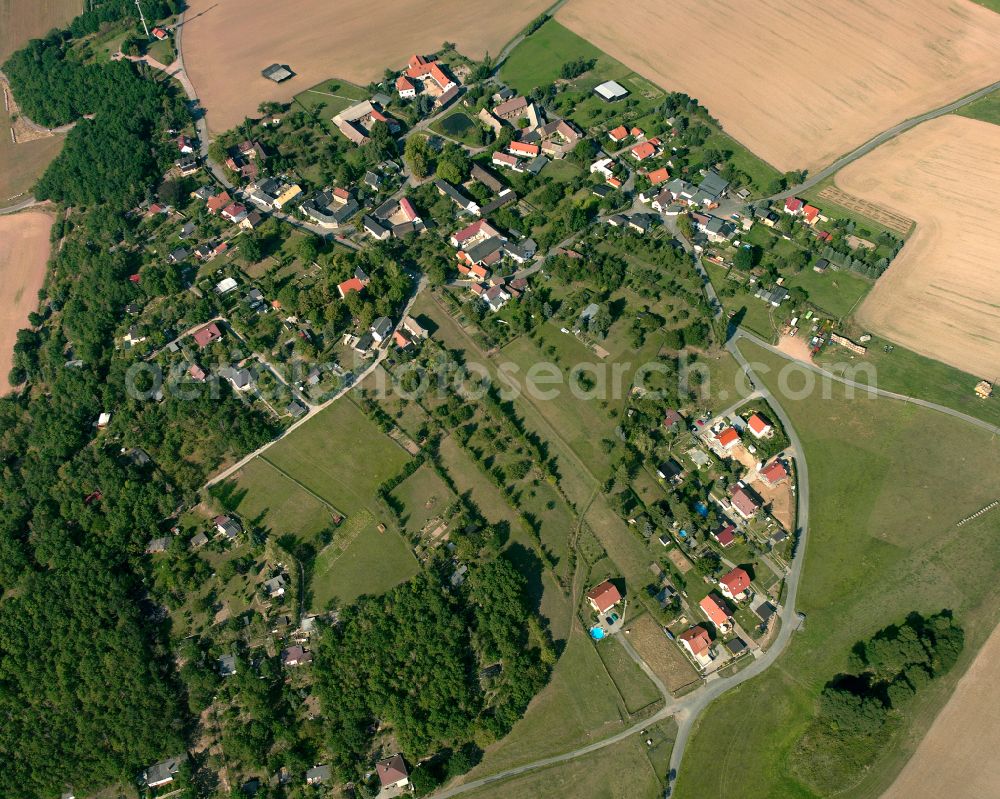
{"points": [[622, 771]]}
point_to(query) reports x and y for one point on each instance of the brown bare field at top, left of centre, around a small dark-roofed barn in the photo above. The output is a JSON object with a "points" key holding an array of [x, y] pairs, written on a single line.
{"points": [[226, 43]]}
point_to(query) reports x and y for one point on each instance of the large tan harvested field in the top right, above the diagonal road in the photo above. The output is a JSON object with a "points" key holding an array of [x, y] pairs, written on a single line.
{"points": [[802, 83]]}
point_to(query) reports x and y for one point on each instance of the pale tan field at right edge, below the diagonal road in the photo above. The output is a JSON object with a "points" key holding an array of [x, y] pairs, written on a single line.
{"points": [[941, 296]]}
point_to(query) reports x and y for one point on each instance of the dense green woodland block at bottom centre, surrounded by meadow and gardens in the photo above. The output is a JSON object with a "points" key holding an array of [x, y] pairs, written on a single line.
{"points": [[415, 657]]}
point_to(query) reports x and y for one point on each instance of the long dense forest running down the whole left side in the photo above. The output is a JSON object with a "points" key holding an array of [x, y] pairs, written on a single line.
{"points": [[88, 693]]}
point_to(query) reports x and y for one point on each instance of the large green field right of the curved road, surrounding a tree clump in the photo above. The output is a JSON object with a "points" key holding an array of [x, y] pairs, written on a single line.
{"points": [[882, 543]]}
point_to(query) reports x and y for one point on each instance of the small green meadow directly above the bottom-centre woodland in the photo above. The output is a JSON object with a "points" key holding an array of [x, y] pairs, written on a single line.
{"points": [[372, 563]]}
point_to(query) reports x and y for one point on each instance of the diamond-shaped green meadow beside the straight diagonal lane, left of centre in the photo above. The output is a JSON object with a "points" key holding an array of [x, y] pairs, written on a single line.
{"points": [[340, 455]]}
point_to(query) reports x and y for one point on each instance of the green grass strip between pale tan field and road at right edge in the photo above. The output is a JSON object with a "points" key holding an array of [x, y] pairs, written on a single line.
{"points": [[905, 372]]}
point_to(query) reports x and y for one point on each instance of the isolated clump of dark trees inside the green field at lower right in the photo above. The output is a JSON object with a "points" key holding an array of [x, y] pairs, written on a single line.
{"points": [[859, 711]]}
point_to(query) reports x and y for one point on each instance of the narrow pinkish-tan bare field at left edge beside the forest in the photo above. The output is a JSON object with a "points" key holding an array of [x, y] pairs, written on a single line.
{"points": [[24, 253]]}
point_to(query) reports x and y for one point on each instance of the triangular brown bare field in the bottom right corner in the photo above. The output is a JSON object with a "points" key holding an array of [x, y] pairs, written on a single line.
{"points": [[957, 758]]}
